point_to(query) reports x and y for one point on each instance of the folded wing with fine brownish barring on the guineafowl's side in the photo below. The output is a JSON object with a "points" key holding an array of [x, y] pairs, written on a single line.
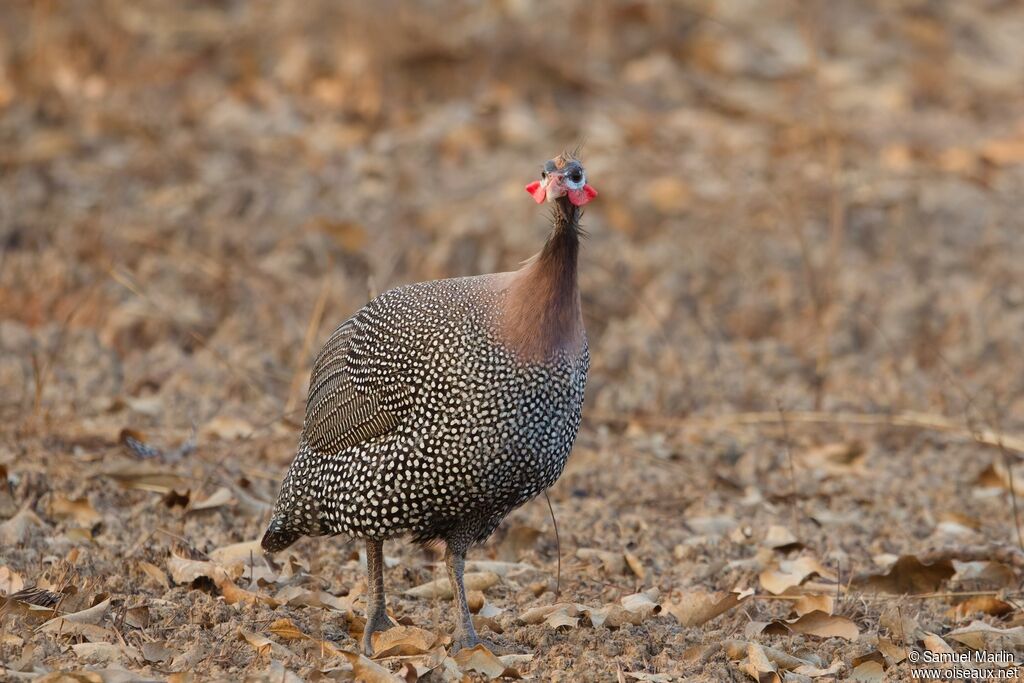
{"points": [[353, 398]]}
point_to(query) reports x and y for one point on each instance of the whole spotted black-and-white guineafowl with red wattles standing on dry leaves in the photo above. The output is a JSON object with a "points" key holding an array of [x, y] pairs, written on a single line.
{"points": [[441, 407]]}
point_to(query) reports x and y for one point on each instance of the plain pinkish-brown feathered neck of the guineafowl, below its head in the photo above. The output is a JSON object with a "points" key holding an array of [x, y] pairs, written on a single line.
{"points": [[542, 310]]}
